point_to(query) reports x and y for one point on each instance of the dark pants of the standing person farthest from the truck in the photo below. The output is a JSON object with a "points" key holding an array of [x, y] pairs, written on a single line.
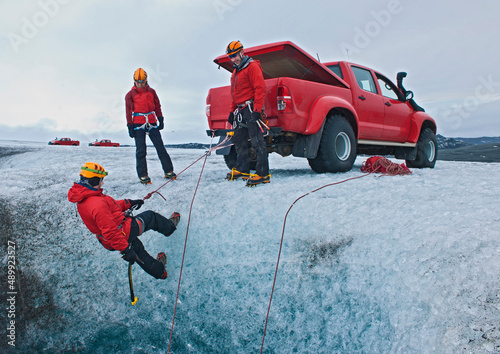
{"points": [[140, 151]]}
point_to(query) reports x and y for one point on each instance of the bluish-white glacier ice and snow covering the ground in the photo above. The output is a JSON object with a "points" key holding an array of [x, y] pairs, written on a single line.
{"points": [[405, 264]]}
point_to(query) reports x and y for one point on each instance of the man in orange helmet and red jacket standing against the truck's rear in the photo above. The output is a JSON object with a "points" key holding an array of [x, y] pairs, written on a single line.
{"points": [[247, 105]]}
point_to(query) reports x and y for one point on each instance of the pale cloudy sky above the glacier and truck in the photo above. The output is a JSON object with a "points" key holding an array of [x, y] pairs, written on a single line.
{"points": [[67, 64]]}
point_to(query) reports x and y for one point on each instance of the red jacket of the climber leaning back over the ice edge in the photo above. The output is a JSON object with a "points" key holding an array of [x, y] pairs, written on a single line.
{"points": [[102, 215]]}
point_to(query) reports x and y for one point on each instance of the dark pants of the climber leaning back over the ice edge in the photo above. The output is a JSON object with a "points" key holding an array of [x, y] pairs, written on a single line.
{"points": [[149, 220]]}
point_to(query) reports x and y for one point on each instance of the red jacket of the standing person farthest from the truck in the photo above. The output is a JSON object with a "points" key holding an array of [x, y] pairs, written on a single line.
{"points": [[142, 100]]}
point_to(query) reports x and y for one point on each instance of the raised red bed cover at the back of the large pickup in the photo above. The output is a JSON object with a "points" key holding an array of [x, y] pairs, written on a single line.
{"points": [[285, 59]]}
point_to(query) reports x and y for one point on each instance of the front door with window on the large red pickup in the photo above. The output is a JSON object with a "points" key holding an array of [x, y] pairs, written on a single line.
{"points": [[397, 112]]}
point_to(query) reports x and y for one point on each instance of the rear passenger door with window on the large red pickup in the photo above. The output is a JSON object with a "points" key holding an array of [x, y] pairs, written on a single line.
{"points": [[369, 104]]}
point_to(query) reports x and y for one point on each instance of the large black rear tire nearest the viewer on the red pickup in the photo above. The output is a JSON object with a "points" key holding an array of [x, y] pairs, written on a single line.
{"points": [[337, 149]]}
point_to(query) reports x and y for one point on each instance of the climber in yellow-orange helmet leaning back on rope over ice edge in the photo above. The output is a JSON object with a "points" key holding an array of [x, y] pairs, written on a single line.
{"points": [[116, 229]]}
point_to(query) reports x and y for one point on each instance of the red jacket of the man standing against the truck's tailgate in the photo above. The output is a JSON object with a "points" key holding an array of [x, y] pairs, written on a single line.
{"points": [[246, 84]]}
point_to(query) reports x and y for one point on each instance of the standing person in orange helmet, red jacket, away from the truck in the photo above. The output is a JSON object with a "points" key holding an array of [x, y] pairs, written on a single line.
{"points": [[144, 117]]}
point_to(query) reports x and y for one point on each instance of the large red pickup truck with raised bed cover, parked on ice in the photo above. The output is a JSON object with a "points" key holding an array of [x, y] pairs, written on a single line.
{"points": [[329, 112]]}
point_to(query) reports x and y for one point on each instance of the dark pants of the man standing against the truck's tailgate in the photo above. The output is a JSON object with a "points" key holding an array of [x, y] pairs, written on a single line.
{"points": [[250, 129]]}
